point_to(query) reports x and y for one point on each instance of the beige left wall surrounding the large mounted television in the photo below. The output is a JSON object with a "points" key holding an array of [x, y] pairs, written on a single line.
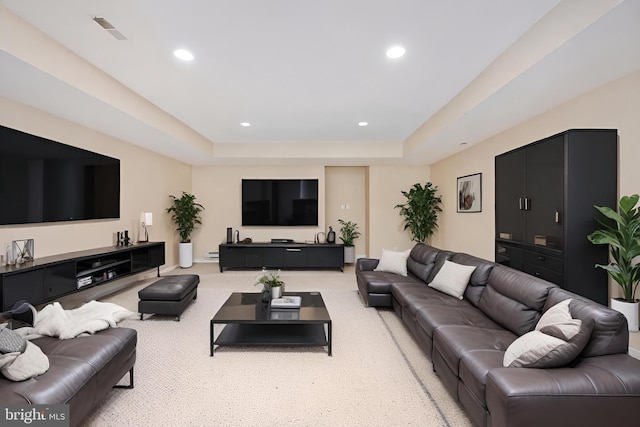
{"points": [[147, 179]]}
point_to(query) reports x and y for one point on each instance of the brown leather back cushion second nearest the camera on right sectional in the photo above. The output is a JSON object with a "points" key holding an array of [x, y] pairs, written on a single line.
{"points": [[514, 299]]}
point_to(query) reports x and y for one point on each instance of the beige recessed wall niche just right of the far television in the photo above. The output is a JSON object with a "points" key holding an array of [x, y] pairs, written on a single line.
{"points": [[345, 199]]}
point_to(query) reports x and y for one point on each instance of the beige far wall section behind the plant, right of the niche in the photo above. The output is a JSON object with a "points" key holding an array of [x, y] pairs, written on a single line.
{"points": [[385, 184]]}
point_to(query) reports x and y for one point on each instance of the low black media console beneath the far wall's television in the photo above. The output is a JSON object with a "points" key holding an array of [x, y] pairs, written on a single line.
{"points": [[281, 255]]}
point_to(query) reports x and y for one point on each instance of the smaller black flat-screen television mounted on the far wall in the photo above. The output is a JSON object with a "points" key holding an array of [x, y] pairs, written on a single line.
{"points": [[279, 202]]}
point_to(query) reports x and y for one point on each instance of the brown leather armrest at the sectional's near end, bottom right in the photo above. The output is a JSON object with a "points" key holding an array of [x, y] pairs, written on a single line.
{"points": [[596, 391]]}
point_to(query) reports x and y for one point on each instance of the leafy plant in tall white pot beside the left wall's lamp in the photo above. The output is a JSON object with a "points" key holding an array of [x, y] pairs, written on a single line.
{"points": [[185, 213]]}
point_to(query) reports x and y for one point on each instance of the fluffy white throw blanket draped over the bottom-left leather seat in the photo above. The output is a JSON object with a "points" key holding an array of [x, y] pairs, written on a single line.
{"points": [[54, 321]]}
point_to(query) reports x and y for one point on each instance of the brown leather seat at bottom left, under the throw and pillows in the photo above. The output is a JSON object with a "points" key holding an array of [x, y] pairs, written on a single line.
{"points": [[82, 371]]}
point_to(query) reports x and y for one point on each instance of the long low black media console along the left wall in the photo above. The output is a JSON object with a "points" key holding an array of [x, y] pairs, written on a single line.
{"points": [[49, 278]]}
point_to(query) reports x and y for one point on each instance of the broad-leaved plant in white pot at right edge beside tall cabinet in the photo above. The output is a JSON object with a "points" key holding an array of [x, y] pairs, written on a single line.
{"points": [[622, 233]]}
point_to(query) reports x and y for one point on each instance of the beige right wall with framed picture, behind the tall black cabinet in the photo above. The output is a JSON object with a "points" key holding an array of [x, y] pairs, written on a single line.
{"points": [[615, 105]]}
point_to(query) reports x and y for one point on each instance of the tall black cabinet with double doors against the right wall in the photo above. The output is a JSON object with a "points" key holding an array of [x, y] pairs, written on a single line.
{"points": [[545, 196]]}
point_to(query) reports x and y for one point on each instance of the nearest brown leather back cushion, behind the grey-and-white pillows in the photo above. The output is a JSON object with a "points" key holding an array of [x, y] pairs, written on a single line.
{"points": [[610, 334]]}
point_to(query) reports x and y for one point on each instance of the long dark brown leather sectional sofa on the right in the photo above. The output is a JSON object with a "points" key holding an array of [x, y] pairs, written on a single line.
{"points": [[466, 342]]}
